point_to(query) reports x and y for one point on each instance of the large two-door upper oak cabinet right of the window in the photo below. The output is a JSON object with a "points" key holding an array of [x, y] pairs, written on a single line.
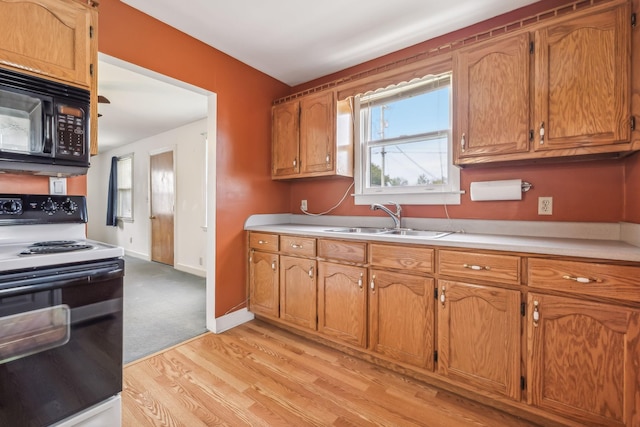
{"points": [[562, 89]]}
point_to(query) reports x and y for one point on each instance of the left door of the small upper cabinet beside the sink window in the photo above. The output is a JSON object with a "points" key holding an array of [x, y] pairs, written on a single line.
{"points": [[285, 156]]}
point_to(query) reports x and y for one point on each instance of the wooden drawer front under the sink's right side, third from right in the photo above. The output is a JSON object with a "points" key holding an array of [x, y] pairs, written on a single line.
{"points": [[401, 257]]}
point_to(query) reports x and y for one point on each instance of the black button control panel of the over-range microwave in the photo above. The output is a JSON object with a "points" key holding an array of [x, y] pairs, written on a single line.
{"points": [[71, 131]]}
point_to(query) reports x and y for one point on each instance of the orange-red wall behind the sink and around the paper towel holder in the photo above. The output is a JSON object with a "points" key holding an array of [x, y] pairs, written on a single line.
{"points": [[574, 186]]}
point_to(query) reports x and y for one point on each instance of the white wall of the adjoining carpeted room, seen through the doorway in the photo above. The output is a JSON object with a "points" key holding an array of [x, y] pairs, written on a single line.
{"points": [[188, 144]]}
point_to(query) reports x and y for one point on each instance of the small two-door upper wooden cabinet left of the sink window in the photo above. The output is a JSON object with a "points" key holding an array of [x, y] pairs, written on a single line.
{"points": [[312, 136]]}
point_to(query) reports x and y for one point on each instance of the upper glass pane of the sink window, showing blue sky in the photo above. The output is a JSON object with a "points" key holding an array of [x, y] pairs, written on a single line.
{"points": [[417, 114]]}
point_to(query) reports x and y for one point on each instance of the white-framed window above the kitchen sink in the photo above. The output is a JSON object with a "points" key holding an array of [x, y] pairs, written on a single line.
{"points": [[405, 144]]}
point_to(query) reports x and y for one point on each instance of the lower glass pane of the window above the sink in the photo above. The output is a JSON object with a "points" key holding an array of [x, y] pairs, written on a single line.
{"points": [[415, 163]]}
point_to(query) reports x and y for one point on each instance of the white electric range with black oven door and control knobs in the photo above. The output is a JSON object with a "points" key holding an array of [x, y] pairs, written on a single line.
{"points": [[61, 316]]}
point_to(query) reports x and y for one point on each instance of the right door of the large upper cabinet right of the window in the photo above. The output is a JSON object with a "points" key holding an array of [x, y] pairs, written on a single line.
{"points": [[582, 81]]}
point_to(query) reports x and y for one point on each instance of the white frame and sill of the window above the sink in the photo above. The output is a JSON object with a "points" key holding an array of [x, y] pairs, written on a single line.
{"points": [[423, 195]]}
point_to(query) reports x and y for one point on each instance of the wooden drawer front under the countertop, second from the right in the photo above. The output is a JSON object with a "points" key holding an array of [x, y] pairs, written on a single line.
{"points": [[497, 268]]}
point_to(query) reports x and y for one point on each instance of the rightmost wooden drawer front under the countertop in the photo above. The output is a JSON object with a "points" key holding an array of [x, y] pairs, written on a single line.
{"points": [[603, 280]]}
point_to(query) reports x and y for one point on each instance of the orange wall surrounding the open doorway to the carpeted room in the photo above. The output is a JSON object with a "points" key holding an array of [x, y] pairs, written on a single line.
{"points": [[243, 135]]}
